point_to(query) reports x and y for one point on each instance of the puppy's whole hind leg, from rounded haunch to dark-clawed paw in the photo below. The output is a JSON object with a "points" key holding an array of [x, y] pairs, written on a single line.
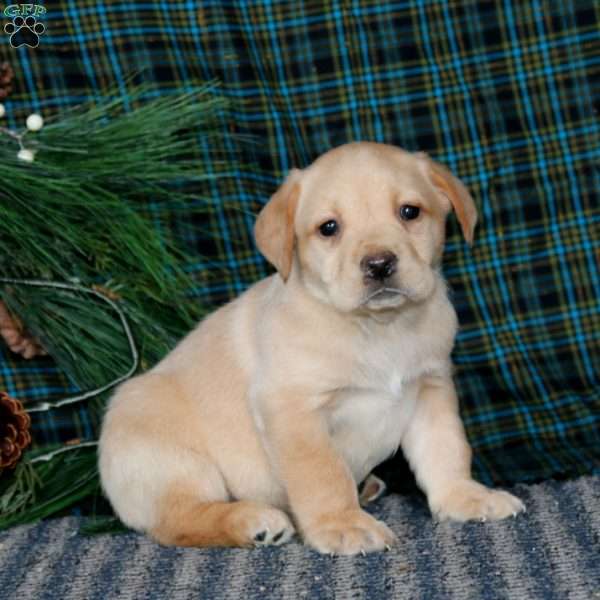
{"points": [[160, 481]]}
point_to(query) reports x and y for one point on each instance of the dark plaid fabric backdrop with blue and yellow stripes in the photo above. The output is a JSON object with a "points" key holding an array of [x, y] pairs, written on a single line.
{"points": [[502, 92]]}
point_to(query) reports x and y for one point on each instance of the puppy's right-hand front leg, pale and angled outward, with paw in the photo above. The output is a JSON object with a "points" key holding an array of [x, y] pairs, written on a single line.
{"points": [[437, 449]]}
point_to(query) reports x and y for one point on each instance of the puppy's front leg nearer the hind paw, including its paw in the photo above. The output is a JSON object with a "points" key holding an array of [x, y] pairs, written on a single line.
{"points": [[320, 488]]}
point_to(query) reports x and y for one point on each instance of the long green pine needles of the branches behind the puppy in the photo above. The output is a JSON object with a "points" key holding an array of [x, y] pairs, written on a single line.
{"points": [[95, 209]]}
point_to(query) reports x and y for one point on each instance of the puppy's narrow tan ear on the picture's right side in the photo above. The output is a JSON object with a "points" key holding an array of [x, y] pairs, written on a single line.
{"points": [[453, 189]]}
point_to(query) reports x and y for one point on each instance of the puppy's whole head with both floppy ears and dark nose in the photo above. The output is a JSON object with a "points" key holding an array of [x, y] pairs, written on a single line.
{"points": [[363, 226]]}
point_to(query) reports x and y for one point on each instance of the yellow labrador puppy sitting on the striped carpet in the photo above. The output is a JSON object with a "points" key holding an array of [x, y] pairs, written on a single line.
{"points": [[266, 417]]}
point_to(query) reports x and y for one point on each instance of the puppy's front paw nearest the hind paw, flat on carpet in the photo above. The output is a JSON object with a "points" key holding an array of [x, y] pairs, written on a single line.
{"points": [[349, 532]]}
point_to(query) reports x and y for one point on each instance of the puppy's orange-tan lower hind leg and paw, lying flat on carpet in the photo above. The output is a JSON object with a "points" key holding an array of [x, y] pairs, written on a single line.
{"points": [[185, 520]]}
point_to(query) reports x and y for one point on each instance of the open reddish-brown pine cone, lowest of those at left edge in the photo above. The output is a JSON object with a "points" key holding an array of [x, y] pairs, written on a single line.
{"points": [[14, 431]]}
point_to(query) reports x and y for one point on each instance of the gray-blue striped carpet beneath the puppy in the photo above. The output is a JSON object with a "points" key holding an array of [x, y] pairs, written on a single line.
{"points": [[551, 552]]}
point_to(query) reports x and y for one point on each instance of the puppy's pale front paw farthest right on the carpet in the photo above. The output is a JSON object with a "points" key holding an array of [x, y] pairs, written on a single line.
{"points": [[468, 500]]}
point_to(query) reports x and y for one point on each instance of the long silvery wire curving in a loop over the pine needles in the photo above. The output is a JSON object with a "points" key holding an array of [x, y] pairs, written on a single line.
{"points": [[135, 359]]}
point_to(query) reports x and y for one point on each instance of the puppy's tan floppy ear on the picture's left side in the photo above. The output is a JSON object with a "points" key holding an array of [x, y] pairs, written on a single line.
{"points": [[274, 228]]}
